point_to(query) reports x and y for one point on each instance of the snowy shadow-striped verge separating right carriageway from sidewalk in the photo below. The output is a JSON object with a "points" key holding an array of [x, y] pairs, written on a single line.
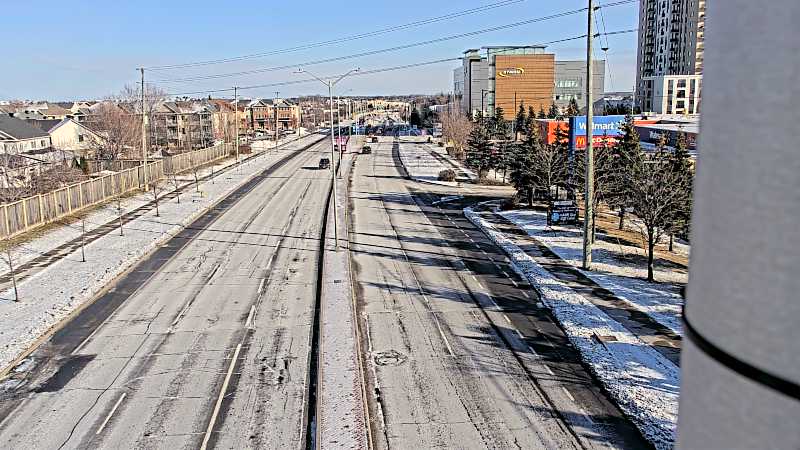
{"points": [[644, 384]]}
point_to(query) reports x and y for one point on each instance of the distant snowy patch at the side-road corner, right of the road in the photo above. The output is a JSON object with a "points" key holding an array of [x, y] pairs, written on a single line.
{"points": [[421, 165]]}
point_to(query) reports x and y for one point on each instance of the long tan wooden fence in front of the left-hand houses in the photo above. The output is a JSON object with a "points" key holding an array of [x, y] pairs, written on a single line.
{"points": [[31, 212]]}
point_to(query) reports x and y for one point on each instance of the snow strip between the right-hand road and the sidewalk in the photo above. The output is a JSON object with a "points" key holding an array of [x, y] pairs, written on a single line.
{"points": [[622, 349]]}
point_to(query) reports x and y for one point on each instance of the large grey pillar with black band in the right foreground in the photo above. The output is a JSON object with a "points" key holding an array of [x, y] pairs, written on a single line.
{"points": [[741, 371]]}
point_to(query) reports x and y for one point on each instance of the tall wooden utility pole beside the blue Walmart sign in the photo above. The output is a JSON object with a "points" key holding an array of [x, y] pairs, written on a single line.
{"points": [[588, 194]]}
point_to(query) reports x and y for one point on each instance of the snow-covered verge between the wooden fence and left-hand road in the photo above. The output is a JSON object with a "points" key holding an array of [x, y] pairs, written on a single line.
{"points": [[50, 295]]}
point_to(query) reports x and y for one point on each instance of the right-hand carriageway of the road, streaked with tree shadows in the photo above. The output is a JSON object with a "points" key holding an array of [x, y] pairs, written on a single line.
{"points": [[458, 352]]}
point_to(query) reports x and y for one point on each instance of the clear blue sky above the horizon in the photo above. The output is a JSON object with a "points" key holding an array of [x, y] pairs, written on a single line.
{"points": [[61, 50]]}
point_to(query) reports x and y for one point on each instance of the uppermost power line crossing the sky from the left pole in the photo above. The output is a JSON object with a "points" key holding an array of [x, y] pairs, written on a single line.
{"points": [[340, 40]]}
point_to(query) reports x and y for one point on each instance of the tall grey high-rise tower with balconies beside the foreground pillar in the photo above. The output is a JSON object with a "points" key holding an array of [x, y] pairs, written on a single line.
{"points": [[671, 36]]}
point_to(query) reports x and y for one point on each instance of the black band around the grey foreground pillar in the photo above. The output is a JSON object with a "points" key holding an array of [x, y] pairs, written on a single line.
{"points": [[747, 370]]}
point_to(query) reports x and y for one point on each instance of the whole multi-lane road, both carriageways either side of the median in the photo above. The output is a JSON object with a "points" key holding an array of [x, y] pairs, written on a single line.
{"points": [[208, 343]]}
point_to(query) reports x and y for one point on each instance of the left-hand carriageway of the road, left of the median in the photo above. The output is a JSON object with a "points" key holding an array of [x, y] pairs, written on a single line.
{"points": [[209, 344]]}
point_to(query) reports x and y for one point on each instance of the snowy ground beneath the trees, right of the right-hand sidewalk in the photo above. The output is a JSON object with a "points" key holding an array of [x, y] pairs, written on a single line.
{"points": [[618, 267]]}
